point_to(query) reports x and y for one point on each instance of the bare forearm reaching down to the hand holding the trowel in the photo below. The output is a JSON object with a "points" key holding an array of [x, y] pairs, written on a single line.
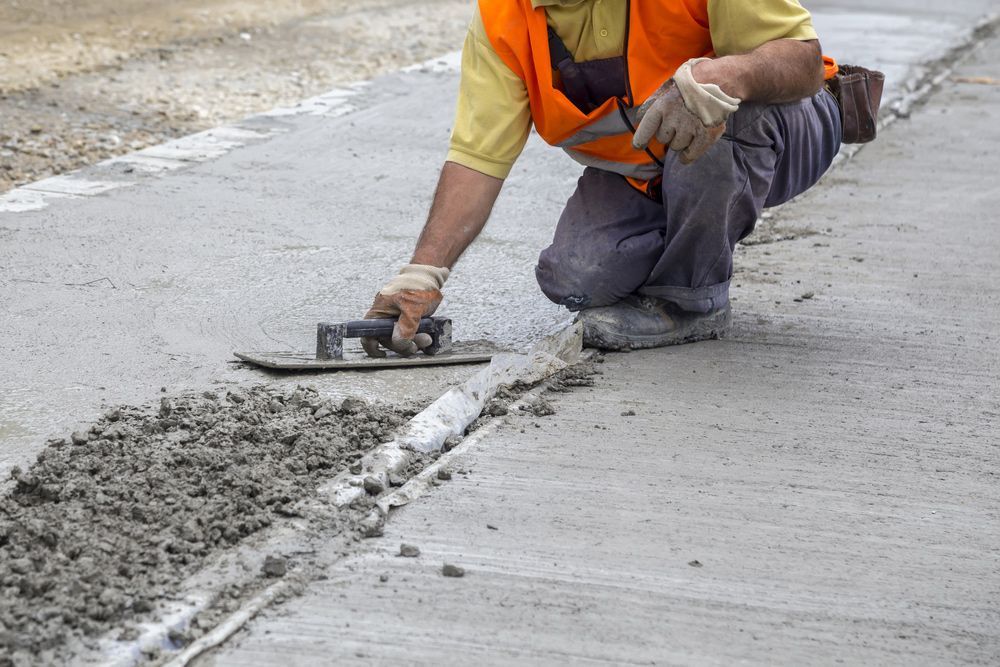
{"points": [[462, 204]]}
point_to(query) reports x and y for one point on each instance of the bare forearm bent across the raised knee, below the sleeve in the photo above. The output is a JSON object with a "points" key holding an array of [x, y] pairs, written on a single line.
{"points": [[784, 70]]}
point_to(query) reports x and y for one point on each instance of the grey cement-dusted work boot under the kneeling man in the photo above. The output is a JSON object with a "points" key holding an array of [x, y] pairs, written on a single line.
{"points": [[639, 322]]}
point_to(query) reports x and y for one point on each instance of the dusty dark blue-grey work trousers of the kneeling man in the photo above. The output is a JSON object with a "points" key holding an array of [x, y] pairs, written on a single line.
{"points": [[612, 241]]}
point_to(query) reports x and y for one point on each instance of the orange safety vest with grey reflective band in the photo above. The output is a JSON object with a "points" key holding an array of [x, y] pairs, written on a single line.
{"points": [[660, 36]]}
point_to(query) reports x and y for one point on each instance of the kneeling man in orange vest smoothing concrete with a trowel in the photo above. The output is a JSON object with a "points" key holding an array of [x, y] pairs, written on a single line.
{"points": [[690, 117]]}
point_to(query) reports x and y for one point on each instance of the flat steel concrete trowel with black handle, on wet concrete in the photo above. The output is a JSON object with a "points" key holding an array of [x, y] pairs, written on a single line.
{"points": [[331, 354]]}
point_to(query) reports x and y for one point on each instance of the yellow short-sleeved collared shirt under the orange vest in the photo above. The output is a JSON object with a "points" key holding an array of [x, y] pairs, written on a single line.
{"points": [[493, 119]]}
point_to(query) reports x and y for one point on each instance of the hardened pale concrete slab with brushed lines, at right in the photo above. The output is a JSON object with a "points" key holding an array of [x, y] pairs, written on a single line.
{"points": [[821, 487]]}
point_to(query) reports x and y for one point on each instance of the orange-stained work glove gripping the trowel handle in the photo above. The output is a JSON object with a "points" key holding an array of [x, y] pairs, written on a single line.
{"points": [[413, 294]]}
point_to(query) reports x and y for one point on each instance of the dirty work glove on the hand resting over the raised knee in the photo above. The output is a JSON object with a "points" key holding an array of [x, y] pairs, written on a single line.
{"points": [[685, 116]]}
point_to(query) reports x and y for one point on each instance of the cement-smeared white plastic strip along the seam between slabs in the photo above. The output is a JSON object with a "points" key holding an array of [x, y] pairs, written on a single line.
{"points": [[440, 427]]}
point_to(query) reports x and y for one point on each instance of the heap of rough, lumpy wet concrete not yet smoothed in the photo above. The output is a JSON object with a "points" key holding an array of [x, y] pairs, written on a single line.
{"points": [[114, 518]]}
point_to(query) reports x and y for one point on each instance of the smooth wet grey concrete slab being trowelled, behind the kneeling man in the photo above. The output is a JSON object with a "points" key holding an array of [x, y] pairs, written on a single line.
{"points": [[105, 299]]}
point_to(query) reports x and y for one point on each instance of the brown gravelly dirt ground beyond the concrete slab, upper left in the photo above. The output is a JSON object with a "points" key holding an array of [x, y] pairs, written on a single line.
{"points": [[84, 80]]}
